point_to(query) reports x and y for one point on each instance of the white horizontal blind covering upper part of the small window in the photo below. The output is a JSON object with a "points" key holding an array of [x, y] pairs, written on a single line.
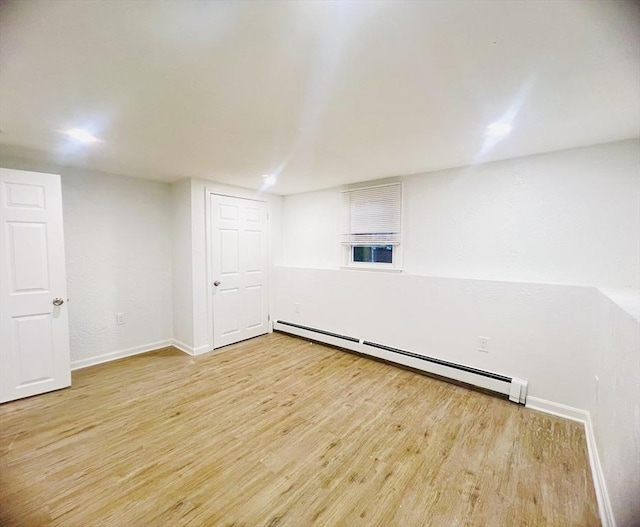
{"points": [[372, 216]]}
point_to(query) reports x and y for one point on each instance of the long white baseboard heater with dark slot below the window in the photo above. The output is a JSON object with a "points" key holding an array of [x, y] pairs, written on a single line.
{"points": [[515, 388]]}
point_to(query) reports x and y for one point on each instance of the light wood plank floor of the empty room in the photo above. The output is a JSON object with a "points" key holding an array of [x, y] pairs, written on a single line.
{"points": [[277, 431]]}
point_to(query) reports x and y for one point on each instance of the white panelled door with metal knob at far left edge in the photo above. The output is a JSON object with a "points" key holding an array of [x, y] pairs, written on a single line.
{"points": [[34, 357]]}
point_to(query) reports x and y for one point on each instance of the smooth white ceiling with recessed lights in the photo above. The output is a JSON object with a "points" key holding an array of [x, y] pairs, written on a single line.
{"points": [[320, 93]]}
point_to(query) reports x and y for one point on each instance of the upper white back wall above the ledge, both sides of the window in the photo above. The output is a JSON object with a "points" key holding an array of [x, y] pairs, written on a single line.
{"points": [[570, 217]]}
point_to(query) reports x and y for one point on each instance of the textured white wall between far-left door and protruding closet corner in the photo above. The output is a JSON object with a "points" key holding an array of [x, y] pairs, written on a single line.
{"points": [[118, 245]]}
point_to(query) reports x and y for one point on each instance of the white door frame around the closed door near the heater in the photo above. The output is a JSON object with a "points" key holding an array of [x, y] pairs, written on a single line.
{"points": [[208, 192]]}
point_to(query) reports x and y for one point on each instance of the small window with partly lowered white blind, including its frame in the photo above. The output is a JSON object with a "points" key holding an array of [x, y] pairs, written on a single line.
{"points": [[371, 226]]}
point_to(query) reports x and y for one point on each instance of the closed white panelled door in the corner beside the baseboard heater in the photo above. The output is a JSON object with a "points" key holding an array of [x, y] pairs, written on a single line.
{"points": [[239, 269]]}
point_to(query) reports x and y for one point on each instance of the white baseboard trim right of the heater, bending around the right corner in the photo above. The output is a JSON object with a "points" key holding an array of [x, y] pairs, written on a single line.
{"points": [[575, 414]]}
